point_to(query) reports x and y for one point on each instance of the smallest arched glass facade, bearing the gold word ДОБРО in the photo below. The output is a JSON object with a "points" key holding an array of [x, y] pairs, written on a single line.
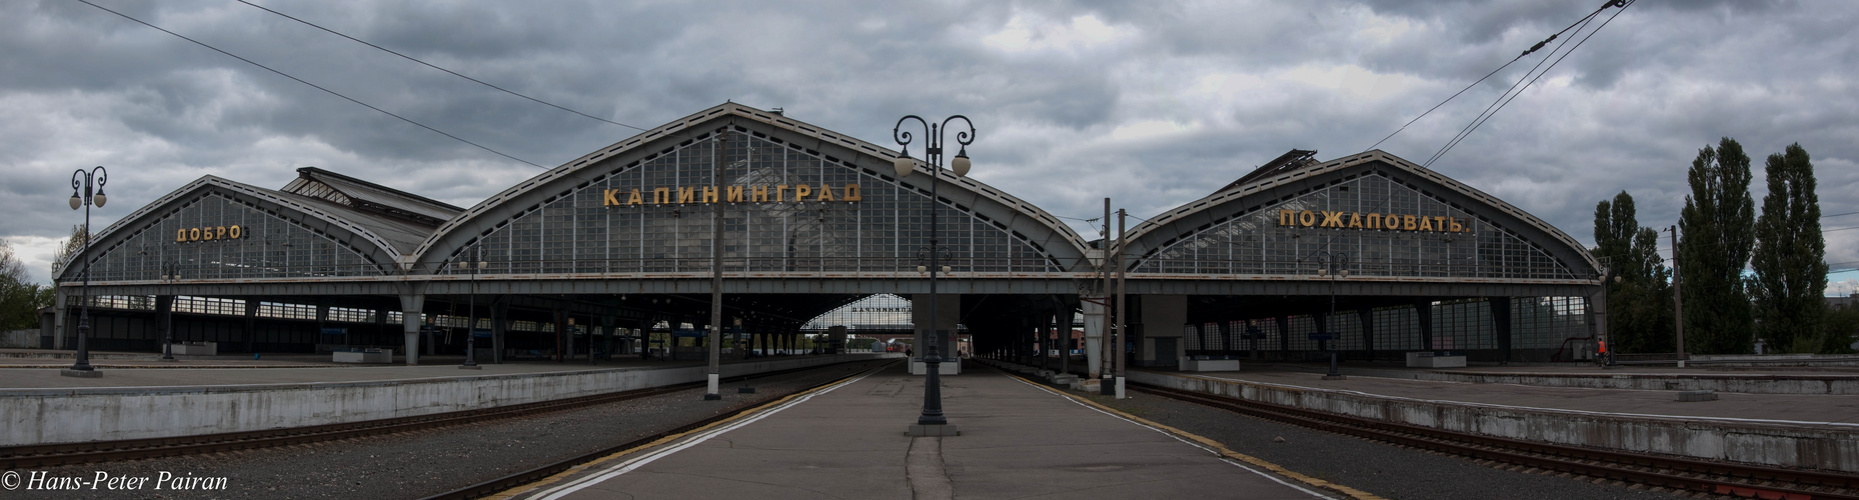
{"points": [[218, 237]]}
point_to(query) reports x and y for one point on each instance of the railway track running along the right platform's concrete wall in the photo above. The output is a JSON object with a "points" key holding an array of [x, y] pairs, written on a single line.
{"points": [[1655, 471]]}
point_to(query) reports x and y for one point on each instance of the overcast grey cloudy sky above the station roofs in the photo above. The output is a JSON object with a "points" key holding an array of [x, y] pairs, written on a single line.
{"points": [[1148, 103]]}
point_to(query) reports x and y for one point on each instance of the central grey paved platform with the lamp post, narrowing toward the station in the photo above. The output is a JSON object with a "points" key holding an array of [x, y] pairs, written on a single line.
{"points": [[849, 441]]}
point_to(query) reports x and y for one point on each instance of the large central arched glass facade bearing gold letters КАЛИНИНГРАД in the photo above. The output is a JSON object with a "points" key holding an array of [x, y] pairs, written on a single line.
{"points": [[600, 228]]}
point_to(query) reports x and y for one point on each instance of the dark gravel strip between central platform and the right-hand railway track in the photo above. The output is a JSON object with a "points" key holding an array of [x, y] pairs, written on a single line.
{"points": [[1369, 466]]}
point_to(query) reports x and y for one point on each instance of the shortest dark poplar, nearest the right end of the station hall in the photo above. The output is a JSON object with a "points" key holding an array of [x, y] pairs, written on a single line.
{"points": [[1641, 315]]}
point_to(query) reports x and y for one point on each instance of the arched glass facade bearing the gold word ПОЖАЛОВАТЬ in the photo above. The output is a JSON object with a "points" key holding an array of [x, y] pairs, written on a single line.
{"points": [[1291, 237]]}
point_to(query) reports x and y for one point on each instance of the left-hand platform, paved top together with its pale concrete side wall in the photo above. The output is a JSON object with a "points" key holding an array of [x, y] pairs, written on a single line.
{"points": [[200, 397]]}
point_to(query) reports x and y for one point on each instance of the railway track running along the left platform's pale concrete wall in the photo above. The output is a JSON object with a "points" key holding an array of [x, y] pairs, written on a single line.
{"points": [[38, 456]]}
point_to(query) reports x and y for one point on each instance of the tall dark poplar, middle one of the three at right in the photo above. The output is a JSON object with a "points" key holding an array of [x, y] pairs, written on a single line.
{"points": [[1717, 235]]}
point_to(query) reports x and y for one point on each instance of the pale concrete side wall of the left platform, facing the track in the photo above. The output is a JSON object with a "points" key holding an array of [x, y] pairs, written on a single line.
{"points": [[75, 415]]}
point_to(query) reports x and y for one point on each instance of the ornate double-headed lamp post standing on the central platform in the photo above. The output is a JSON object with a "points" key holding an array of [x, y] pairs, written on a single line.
{"points": [[932, 423]]}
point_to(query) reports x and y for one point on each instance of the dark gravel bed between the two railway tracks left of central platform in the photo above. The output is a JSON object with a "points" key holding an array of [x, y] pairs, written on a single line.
{"points": [[423, 464]]}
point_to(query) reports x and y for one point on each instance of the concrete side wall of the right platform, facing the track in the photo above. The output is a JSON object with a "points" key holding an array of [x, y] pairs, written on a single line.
{"points": [[1830, 447]]}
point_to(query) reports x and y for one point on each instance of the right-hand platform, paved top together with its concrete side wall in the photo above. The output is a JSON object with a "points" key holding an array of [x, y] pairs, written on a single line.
{"points": [[1763, 428]]}
